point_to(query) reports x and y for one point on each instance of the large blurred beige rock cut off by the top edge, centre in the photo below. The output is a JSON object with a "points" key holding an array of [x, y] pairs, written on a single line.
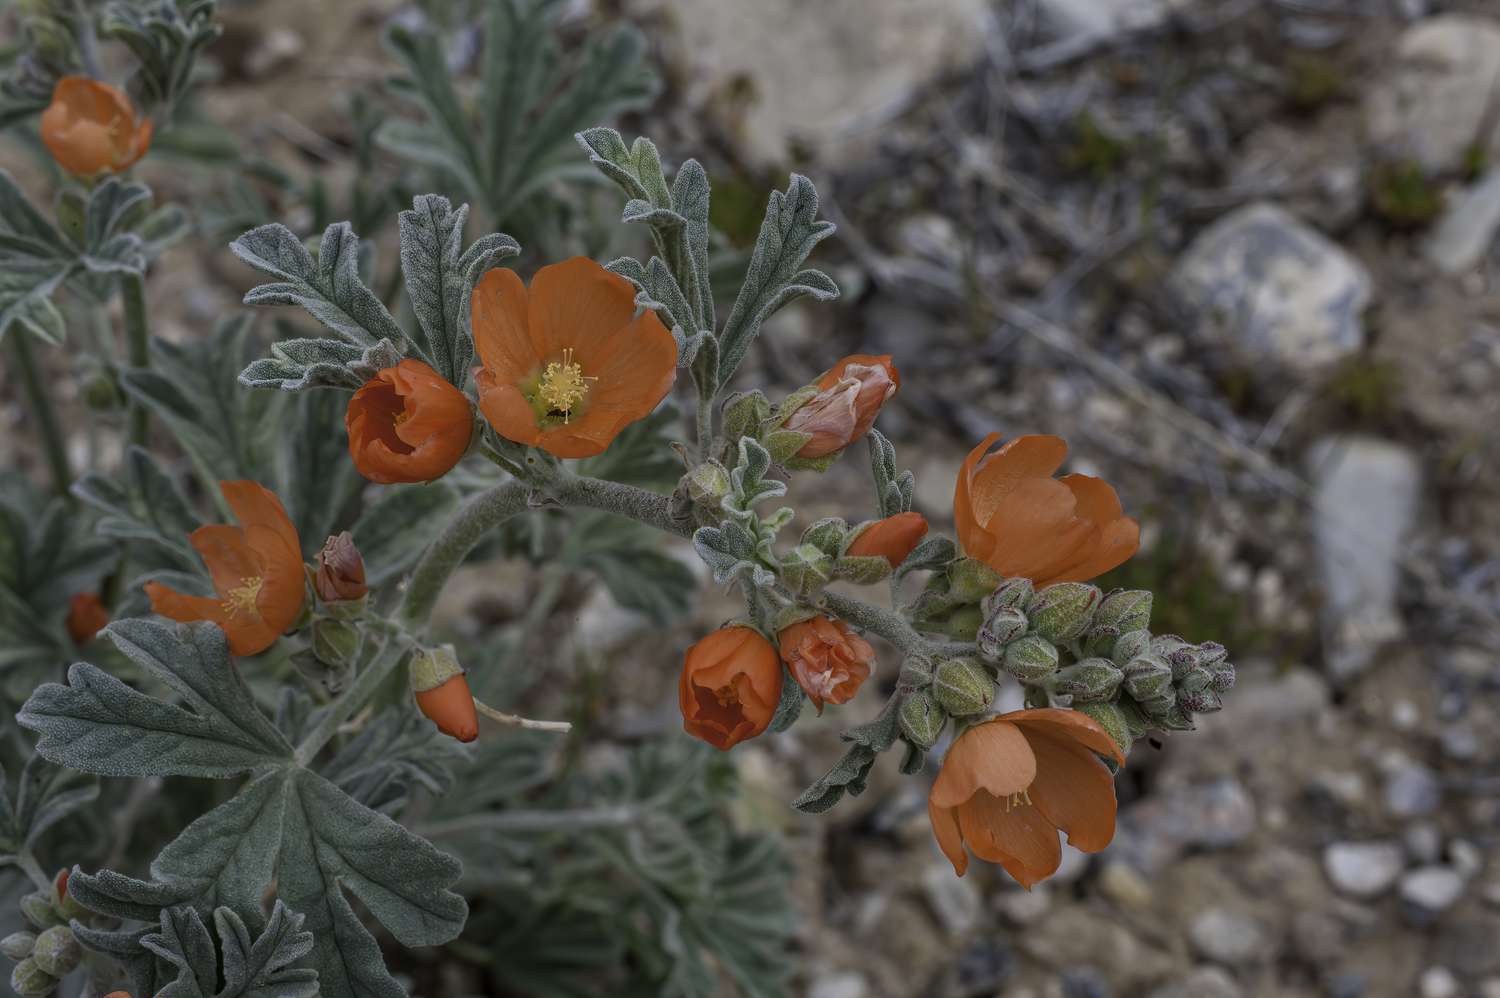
{"points": [[788, 71]]}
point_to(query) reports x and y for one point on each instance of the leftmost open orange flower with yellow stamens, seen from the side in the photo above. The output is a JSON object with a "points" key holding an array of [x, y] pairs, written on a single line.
{"points": [[257, 573]]}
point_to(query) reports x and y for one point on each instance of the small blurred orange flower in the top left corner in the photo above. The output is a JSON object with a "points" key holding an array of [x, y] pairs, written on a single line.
{"points": [[92, 128]]}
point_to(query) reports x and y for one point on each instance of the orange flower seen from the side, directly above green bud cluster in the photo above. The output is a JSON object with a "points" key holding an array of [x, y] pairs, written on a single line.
{"points": [[1022, 523]]}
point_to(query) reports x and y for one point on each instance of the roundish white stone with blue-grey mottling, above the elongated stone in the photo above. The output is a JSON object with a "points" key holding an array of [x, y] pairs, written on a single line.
{"points": [[1274, 289]]}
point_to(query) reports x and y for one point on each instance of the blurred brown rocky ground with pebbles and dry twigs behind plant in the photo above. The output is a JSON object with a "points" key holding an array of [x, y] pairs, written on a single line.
{"points": [[1243, 256]]}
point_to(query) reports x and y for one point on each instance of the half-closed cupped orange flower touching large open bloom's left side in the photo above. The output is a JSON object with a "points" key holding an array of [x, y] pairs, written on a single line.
{"points": [[409, 425]]}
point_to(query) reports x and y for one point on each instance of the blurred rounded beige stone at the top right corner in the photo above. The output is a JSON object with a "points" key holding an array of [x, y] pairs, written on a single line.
{"points": [[1435, 103]]}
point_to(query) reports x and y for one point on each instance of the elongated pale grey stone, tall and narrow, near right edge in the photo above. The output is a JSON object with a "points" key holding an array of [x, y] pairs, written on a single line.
{"points": [[1366, 502]]}
